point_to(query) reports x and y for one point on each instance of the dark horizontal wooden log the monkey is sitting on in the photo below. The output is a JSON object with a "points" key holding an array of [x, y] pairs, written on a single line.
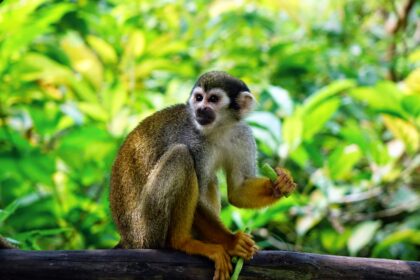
{"points": [[160, 264]]}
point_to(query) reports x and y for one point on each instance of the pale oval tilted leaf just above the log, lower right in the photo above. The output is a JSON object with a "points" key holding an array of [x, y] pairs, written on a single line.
{"points": [[361, 236]]}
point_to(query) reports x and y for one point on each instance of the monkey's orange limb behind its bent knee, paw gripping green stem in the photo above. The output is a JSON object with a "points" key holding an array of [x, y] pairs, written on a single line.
{"points": [[211, 229]]}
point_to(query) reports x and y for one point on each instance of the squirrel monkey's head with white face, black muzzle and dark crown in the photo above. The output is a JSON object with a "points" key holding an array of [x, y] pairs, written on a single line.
{"points": [[218, 98]]}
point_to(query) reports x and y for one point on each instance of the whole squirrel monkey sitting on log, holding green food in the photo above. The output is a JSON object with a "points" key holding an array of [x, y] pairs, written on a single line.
{"points": [[164, 191]]}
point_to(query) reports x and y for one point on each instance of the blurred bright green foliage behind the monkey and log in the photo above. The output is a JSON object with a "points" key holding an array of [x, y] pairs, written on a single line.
{"points": [[338, 86]]}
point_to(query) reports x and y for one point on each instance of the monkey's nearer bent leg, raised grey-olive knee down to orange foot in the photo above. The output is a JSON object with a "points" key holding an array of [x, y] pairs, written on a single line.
{"points": [[174, 180]]}
